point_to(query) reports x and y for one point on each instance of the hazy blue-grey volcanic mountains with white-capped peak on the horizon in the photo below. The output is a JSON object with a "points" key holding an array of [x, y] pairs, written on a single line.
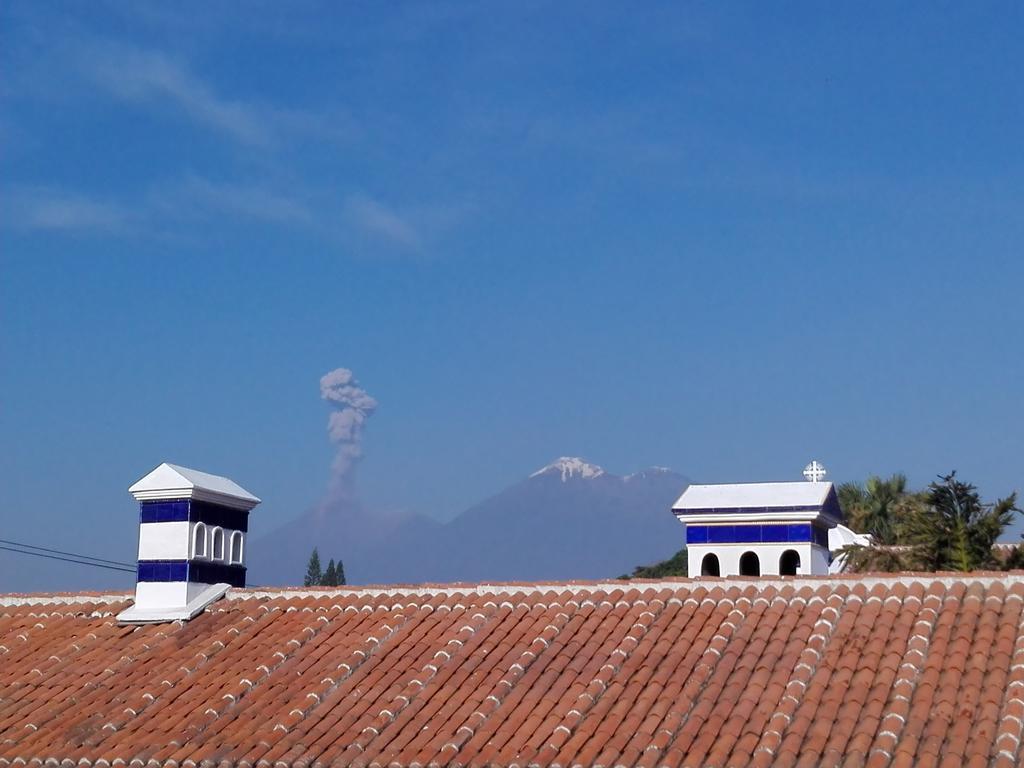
{"points": [[568, 521]]}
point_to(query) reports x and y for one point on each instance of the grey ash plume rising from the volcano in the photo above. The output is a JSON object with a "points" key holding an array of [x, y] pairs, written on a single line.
{"points": [[353, 408]]}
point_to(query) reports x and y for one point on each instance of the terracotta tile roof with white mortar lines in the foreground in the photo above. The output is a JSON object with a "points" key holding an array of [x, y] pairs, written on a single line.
{"points": [[898, 671]]}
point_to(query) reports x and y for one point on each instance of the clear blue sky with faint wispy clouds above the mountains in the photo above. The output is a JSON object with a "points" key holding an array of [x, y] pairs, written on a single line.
{"points": [[723, 238]]}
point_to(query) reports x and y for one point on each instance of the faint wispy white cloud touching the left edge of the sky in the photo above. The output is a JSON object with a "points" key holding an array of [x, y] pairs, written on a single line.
{"points": [[48, 209]]}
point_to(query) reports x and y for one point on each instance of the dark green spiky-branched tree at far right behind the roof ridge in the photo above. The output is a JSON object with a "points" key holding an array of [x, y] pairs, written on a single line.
{"points": [[958, 532]]}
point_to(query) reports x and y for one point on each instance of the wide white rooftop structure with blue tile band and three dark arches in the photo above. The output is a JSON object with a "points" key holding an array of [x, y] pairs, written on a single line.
{"points": [[756, 529]]}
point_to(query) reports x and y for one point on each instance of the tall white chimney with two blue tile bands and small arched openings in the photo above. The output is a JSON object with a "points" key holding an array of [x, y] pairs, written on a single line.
{"points": [[192, 542]]}
